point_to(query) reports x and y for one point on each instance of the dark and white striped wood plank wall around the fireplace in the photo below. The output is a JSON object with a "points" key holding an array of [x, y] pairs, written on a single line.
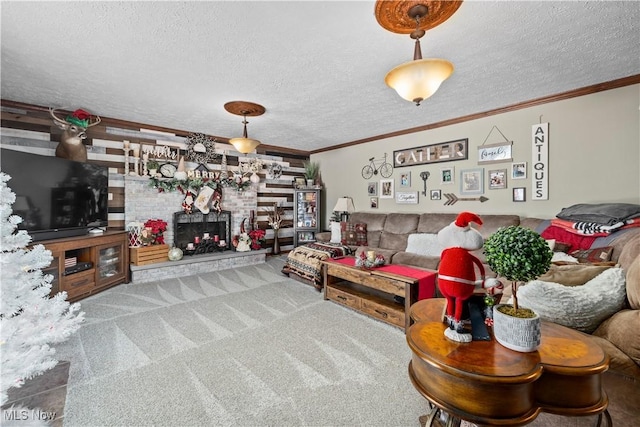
{"points": [[26, 125]]}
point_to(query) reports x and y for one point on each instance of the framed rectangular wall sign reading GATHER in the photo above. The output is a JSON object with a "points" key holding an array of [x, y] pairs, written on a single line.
{"points": [[435, 153]]}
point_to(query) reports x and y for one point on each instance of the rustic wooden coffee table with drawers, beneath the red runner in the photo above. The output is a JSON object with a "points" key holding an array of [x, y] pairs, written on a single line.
{"points": [[371, 291]]}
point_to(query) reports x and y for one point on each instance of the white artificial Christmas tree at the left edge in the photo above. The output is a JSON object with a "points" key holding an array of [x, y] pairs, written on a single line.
{"points": [[30, 321]]}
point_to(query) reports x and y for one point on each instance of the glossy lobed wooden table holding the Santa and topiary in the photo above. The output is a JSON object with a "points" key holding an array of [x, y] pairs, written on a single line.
{"points": [[488, 384]]}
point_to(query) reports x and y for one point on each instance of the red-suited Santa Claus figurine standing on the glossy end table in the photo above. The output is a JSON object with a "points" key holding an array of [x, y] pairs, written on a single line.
{"points": [[457, 277]]}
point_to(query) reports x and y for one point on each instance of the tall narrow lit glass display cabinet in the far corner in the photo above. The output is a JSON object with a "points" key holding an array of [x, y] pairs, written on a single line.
{"points": [[306, 216]]}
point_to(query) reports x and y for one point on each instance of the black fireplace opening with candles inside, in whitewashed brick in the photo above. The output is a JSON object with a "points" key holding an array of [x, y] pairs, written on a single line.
{"points": [[201, 233]]}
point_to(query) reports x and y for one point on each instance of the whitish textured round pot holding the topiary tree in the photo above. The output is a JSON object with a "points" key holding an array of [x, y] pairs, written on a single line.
{"points": [[516, 333]]}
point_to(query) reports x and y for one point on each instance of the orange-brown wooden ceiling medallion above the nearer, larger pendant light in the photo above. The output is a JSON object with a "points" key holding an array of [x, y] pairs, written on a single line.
{"points": [[395, 16]]}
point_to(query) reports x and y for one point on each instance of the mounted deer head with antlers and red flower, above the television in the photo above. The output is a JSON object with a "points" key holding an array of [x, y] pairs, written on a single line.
{"points": [[74, 128]]}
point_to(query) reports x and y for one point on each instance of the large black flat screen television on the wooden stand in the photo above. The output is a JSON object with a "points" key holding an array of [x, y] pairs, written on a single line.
{"points": [[56, 197]]}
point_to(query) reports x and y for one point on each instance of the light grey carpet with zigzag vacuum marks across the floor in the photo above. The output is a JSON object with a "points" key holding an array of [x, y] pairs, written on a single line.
{"points": [[242, 347]]}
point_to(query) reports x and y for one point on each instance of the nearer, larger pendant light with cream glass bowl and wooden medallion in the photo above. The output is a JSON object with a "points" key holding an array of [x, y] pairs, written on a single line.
{"points": [[416, 80]]}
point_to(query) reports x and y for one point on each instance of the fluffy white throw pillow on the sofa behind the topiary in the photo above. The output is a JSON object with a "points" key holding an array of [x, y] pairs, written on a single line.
{"points": [[578, 307]]}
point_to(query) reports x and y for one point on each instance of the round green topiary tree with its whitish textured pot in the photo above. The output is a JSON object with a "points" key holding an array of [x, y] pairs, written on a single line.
{"points": [[519, 255]]}
